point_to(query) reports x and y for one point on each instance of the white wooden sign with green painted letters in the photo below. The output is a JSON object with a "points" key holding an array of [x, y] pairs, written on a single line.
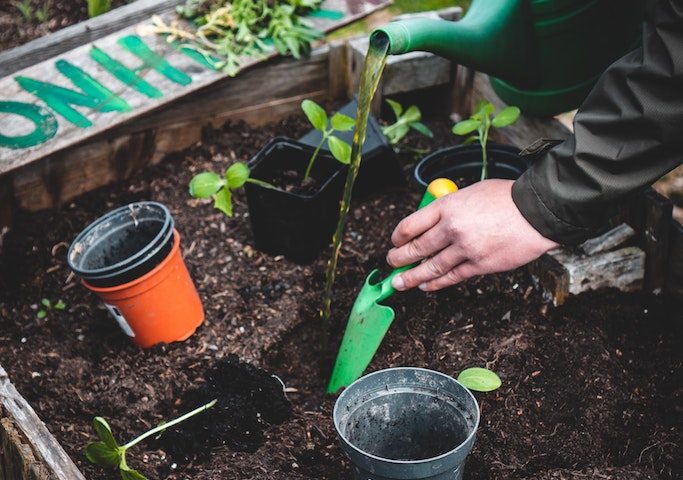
{"points": [[62, 101]]}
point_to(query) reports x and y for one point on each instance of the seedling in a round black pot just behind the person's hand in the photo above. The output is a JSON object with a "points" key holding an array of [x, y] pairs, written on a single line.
{"points": [[476, 157]]}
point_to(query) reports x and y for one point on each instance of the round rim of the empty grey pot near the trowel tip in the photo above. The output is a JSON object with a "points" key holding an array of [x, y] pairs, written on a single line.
{"points": [[466, 441]]}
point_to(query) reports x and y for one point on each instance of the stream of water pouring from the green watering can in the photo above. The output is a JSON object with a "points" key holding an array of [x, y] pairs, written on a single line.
{"points": [[375, 60]]}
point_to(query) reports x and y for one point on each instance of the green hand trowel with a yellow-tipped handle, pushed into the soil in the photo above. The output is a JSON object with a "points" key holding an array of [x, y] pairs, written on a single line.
{"points": [[369, 320]]}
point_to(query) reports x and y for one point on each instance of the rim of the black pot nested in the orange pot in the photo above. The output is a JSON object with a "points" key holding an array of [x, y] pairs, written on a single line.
{"points": [[159, 240]]}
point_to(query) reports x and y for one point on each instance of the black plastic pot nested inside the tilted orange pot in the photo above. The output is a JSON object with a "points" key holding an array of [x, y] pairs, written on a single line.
{"points": [[122, 245]]}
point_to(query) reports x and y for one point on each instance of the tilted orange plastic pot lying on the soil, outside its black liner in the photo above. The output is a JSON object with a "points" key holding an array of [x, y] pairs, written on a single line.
{"points": [[162, 306]]}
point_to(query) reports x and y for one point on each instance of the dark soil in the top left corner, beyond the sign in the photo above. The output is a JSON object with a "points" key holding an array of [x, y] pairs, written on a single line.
{"points": [[43, 17]]}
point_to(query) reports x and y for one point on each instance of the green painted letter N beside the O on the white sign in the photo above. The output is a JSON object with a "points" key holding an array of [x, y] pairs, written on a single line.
{"points": [[60, 99]]}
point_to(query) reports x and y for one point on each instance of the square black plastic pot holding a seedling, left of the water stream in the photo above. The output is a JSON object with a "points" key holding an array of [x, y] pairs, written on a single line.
{"points": [[284, 223]]}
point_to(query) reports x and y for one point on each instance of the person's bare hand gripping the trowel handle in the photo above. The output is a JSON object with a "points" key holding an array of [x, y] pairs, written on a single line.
{"points": [[474, 231]]}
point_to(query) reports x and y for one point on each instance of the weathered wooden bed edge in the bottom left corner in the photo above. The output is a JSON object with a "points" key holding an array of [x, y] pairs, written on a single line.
{"points": [[35, 453]]}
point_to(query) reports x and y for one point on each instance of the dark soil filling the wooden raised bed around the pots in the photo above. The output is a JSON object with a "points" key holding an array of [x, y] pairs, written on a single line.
{"points": [[590, 390]]}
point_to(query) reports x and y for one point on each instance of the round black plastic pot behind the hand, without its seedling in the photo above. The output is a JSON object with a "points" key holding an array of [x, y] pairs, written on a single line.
{"points": [[464, 161]]}
